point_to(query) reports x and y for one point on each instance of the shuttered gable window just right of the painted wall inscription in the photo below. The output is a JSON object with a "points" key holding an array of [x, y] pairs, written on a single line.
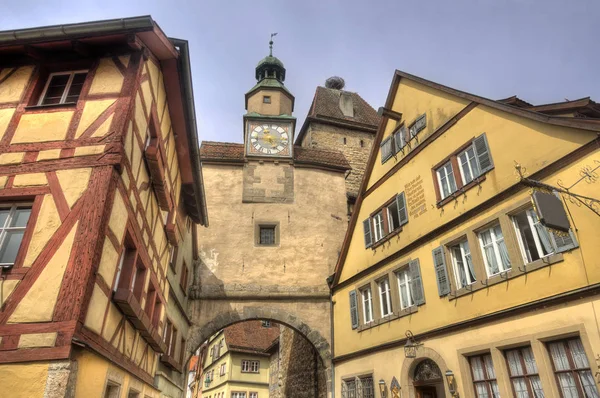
{"points": [[464, 166]]}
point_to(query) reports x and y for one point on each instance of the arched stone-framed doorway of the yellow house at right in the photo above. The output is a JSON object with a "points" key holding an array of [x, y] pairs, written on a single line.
{"points": [[423, 376]]}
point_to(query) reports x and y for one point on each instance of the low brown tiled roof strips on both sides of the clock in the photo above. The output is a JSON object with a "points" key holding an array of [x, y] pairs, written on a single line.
{"points": [[229, 152]]}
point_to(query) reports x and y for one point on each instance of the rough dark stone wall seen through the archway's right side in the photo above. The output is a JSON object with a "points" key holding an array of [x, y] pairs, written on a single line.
{"points": [[301, 372]]}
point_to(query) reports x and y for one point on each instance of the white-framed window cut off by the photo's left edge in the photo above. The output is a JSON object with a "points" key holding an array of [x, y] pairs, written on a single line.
{"points": [[13, 220]]}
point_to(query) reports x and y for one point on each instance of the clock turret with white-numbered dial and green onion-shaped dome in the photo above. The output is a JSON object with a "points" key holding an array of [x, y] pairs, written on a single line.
{"points": [[268, 122]]}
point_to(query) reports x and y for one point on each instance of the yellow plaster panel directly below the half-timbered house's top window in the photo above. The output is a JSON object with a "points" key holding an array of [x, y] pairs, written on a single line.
{"points": [[41, 127]]}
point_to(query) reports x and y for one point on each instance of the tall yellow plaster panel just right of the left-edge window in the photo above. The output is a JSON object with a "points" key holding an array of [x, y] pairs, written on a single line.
{"points": [[47, 223]]}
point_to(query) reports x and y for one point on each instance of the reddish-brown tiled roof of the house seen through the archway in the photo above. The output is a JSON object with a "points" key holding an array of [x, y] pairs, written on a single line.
{"points": [[250, 336]]}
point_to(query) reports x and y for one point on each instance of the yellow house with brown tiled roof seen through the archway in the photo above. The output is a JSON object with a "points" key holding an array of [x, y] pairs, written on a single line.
{"points": [[237, 361]]}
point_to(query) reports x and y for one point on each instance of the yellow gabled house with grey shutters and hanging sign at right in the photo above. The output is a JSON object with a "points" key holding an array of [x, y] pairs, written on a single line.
{"points": [[451, 281]]}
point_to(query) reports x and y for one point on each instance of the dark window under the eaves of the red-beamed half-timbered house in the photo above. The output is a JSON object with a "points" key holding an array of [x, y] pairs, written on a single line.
{"points": [[63, 88]]}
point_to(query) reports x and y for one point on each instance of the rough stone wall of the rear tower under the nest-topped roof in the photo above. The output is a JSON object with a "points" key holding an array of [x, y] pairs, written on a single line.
{"points": [[356, 148]]}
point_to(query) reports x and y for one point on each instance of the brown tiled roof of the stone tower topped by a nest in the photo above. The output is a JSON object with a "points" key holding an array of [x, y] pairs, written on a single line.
{"points": [[325, 108]]}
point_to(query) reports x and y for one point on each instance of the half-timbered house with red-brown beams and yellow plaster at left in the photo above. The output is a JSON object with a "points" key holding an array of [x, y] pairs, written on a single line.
{"points": [[100, 191]]}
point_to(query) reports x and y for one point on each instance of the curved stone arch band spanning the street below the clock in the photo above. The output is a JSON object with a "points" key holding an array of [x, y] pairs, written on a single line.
{"points": [[200, 333]]}
